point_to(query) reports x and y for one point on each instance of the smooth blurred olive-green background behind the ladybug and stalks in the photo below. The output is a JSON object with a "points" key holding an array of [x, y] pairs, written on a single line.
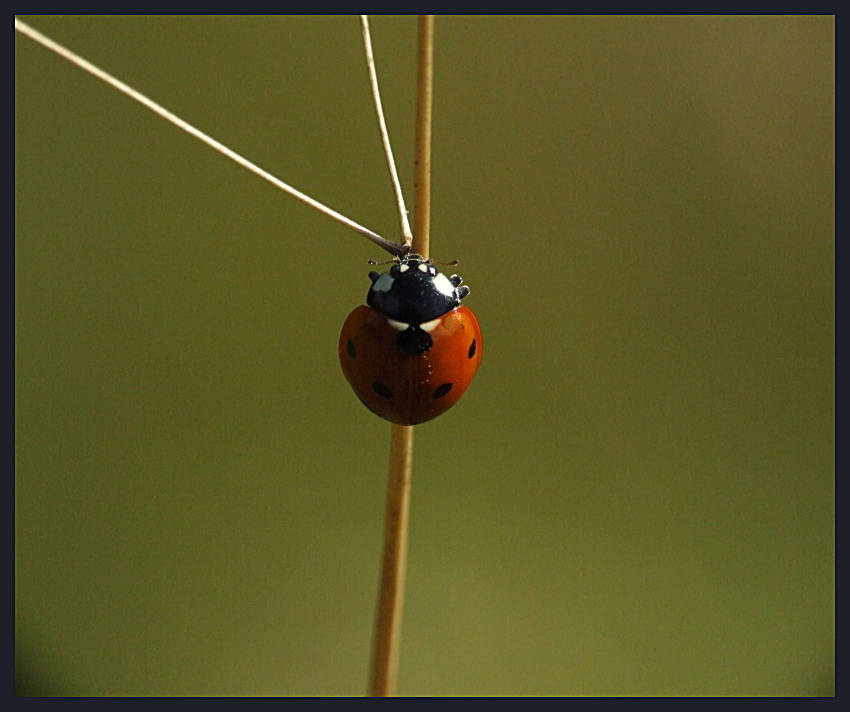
{"points": [[635, 496]]}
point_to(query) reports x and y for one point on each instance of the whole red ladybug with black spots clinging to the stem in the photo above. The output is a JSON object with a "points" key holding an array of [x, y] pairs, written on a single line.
{"points": [[411, 354]]}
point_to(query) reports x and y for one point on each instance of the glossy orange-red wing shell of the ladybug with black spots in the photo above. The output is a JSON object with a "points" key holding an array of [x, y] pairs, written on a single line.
{"points": [[405, 389]]}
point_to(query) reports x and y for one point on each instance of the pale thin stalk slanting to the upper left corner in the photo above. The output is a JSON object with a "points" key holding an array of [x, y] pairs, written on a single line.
{"points": [[96, 71]]}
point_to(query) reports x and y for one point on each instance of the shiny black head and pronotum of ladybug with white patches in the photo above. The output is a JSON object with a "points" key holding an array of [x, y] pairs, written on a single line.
{"points": [[413, 292]]}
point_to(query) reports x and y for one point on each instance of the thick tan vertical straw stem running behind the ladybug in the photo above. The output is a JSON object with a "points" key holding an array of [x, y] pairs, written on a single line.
{"points": [[385, 652]]}
